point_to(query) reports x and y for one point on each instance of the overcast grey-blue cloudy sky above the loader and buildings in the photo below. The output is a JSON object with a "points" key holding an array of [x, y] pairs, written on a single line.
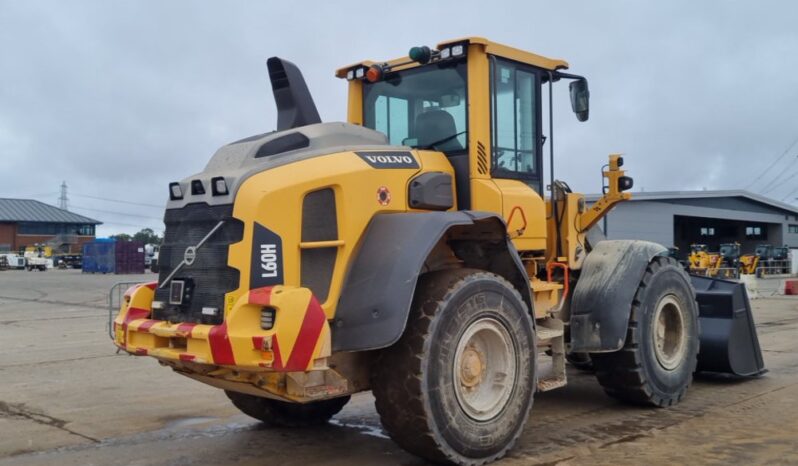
{"points": [[119, 98]]}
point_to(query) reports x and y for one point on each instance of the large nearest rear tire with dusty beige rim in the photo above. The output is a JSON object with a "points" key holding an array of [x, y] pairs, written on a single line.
{"points": [[466, 327]]}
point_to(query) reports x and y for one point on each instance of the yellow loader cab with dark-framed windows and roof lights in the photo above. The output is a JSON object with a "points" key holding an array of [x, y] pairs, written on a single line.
{"points": [[479, 103]]}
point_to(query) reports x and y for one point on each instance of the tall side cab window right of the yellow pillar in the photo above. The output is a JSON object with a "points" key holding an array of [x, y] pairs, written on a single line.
{"points": [[515, 92]]}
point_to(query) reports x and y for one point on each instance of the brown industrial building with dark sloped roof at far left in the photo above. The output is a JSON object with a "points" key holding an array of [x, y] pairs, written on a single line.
{"points": [[26, 222]]}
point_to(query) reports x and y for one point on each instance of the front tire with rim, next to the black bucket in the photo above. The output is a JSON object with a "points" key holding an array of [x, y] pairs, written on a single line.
{"points": [[656, 364]]}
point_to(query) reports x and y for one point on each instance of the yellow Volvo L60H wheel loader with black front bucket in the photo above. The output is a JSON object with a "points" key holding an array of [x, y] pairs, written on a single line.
{"points": [[416, 251]]}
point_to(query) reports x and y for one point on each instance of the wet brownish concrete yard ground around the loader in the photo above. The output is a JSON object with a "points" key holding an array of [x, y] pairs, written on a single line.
{"points": [[67, 398]]}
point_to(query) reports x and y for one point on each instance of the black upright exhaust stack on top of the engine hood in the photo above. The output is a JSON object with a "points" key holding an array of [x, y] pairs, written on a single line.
{"points": [[295, 105]]}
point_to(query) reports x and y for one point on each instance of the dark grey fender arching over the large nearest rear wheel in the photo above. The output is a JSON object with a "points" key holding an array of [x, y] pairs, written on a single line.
{"points": [[378, 290]]}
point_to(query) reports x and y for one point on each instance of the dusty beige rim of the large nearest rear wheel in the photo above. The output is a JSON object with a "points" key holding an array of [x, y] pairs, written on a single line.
{"points": [[484, 369]]}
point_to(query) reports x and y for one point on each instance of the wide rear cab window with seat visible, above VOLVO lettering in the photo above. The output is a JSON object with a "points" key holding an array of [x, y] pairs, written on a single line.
{"points": [[423, 107]]}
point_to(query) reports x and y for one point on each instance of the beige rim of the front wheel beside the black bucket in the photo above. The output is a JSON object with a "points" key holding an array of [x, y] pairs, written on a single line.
{"points": [[670, 336]]}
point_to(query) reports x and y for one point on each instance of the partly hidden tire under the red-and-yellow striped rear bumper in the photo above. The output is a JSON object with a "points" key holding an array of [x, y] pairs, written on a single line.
{"points": [[276, 413]]}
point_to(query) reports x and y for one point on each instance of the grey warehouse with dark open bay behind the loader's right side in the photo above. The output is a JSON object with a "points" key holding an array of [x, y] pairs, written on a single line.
{"points": [[682, 218]]}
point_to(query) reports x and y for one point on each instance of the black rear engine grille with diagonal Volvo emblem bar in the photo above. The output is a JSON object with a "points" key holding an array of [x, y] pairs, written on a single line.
{"points": [[209, 275]]}
